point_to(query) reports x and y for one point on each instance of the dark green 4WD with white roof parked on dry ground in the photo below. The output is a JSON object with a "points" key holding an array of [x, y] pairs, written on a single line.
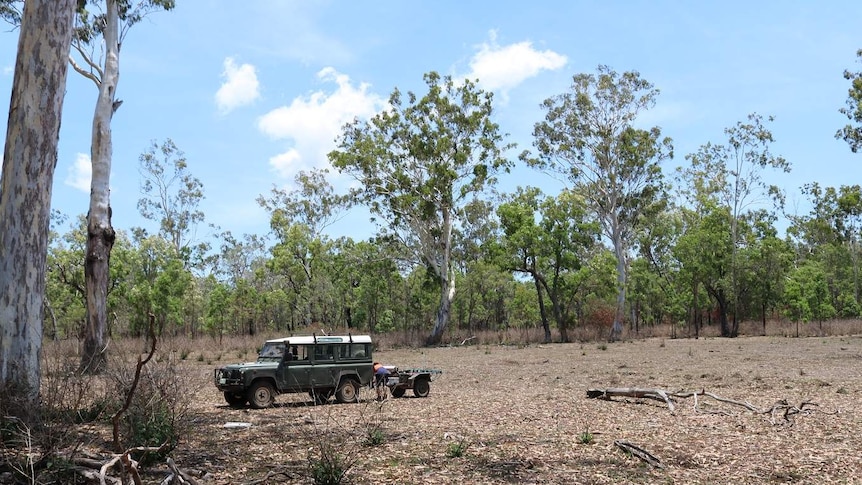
{"points": [[320, 366]]}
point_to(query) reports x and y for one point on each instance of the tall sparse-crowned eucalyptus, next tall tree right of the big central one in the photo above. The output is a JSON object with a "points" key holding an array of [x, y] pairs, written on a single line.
{"points": [[588, 138]]}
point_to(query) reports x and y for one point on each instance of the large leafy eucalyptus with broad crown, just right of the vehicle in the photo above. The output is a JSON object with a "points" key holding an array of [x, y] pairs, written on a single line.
{"points": [[418, 163]]}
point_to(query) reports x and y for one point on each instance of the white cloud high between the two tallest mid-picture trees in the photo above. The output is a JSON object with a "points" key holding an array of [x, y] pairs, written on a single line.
{"points": [[501, 68]]}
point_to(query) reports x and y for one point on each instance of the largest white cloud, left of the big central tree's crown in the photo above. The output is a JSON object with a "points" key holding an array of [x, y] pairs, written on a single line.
{"points": [[313, 122]]}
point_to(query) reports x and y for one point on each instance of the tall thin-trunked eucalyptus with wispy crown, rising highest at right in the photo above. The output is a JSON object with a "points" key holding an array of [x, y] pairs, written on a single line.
{"points": [[730, 175]]}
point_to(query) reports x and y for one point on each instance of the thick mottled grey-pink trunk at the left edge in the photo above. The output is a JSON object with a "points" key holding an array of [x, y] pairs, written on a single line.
{"points": [[29, 160]]}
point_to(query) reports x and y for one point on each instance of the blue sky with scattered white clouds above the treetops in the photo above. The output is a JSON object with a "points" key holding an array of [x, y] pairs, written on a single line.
{"points": [[254, 94]]}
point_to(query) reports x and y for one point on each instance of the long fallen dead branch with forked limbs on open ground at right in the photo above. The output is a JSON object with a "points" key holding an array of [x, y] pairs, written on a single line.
{"points": [[781, 407]]}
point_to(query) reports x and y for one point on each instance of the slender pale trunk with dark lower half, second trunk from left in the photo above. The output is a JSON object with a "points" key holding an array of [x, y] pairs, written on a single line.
{"points": [[100, 233]]}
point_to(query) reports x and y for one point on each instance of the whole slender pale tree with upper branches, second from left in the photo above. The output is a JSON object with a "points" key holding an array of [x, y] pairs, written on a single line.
{"points": [[98, 36]]}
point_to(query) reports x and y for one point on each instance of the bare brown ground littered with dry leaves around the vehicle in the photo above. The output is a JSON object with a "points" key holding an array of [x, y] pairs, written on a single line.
{"points": [[519, 416]]}
